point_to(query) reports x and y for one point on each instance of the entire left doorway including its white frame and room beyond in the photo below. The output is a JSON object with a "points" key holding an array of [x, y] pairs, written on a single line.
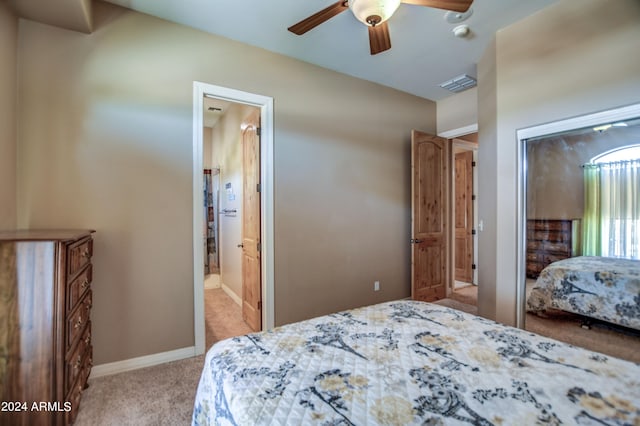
{"points": [[219, 197]]}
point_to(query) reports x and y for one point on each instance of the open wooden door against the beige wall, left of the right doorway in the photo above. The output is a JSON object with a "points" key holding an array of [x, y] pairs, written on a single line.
{"points": [[430, 220]]}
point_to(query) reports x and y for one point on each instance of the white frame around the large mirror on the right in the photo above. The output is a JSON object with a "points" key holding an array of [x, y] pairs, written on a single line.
{"points": [[548, 129]]}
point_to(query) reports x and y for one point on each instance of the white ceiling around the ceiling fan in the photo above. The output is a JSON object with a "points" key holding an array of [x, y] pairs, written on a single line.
{"points": [[424, 50]]}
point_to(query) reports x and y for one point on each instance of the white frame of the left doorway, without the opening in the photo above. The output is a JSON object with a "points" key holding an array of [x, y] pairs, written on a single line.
{"points": [[265, 103]]}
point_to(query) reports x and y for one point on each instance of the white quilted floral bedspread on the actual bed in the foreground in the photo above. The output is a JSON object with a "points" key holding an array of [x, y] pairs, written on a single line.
{"points": [[409, 362]]}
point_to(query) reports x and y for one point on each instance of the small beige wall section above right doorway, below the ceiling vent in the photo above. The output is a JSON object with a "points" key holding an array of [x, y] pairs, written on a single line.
{"points": [[457, 111]]}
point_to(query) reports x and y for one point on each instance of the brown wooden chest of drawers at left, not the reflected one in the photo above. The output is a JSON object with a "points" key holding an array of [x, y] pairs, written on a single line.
{"points": [[45, 329]]}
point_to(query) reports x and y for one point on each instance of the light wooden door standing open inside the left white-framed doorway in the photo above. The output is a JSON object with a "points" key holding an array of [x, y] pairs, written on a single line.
{"points": [[251, 271]]}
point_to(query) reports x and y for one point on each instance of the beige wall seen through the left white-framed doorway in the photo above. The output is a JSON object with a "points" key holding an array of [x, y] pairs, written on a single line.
{"points": [[227, 153]]}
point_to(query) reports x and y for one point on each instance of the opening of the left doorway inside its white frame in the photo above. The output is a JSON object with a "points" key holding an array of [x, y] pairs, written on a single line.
{"points": [[225, 189]]}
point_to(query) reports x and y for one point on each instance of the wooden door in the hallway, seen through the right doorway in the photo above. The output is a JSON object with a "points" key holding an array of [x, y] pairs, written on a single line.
{"points": [[463, 216]]}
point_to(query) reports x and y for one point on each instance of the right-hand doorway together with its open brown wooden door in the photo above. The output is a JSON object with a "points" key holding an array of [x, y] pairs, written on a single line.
{"points": [[444, 247]]}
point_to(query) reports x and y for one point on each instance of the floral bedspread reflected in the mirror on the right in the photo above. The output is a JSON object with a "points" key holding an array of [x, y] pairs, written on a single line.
{"points": [[597, 287]]}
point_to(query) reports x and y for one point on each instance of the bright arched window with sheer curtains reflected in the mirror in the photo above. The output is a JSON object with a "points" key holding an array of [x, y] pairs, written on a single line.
{"points": [[611, 223]]}
